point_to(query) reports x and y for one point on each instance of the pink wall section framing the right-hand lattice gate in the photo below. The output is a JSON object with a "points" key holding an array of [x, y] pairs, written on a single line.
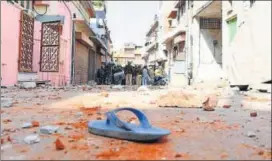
{"points": [[63, 76]]}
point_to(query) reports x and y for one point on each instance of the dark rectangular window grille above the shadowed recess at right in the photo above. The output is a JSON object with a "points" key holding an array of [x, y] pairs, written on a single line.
{"points": [[210, 23]]}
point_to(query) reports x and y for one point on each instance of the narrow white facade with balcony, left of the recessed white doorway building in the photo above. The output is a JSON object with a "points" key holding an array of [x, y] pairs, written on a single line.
{"points": [[173, 22]]}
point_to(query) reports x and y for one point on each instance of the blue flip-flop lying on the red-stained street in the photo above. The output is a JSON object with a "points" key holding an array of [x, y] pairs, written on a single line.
{"points": [[115, 128]]}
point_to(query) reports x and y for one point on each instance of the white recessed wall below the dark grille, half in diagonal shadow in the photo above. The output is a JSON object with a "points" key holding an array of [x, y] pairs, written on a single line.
{"points": [[206, 57]]}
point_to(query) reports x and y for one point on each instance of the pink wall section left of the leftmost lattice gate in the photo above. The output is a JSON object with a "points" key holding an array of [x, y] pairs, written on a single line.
{"points": [[9, 43]]}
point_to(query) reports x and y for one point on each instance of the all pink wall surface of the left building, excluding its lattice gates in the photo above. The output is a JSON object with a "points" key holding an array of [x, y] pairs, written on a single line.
{"points": [[10, 45]]}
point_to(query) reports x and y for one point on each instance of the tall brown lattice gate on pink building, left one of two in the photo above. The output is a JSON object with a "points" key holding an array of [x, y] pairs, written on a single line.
{"points": [[26, 43]]}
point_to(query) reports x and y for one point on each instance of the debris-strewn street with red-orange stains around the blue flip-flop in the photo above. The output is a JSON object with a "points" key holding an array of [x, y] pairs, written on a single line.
{"points": [[225, 133]]}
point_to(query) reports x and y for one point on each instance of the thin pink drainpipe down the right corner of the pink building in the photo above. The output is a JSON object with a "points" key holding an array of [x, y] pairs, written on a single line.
{"points": [[73, 43]]}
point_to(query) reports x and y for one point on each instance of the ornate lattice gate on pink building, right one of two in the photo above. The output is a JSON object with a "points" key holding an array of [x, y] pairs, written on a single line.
{"points": [[50, 44]]}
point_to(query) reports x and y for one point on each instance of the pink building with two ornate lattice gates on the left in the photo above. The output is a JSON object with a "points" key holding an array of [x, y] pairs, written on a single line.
{"points": [[37, 40]]}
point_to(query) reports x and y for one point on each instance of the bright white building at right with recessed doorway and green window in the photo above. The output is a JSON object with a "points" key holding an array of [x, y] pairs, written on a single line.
{"points": [[230, 40]]}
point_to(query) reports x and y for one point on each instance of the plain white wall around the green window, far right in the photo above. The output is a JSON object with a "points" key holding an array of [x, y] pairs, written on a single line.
{"points": [[247, 60]]}
